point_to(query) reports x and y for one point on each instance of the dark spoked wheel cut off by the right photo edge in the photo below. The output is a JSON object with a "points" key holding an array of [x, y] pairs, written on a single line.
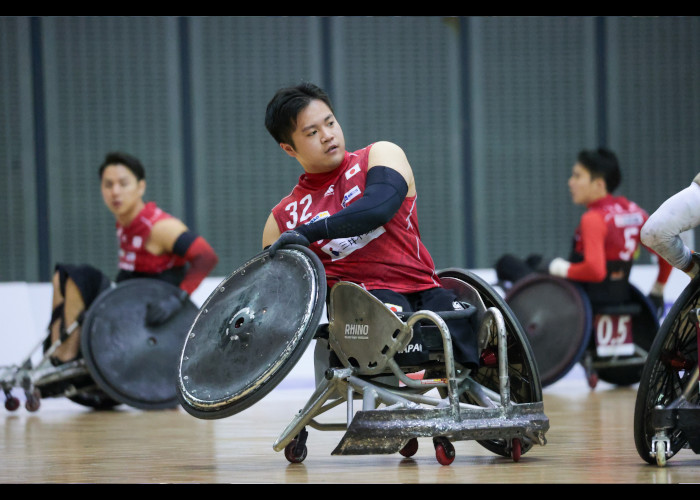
{"points": [[671, 359]]}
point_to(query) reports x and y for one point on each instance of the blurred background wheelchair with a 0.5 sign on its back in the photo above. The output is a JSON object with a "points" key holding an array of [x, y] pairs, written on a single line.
{"points": [[564, 327]]}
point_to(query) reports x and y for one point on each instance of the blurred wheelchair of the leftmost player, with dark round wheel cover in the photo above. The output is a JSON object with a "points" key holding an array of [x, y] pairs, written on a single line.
{"points": [[122, 360]]}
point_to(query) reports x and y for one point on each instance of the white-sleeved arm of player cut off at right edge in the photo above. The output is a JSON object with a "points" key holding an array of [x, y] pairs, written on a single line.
{"points": [[661, 233]]}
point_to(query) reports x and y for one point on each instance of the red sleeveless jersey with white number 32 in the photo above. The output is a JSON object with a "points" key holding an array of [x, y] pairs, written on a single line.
{"points": [[391, 256]]}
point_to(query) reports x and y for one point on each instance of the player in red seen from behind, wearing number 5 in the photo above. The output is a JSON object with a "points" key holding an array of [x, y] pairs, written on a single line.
{"points": [[605, 242]]}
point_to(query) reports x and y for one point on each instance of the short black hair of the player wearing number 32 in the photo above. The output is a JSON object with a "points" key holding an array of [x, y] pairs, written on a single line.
{"points": [[283, 109]]}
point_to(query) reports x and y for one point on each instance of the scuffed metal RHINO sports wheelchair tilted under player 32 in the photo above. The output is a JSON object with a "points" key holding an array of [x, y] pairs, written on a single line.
{"points": [[256, 325]]}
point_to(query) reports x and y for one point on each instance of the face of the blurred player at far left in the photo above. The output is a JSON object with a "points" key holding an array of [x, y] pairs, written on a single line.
{"points": [[122, 191]]}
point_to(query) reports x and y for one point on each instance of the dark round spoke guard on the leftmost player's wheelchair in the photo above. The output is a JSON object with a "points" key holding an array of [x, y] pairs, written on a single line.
{"points": [[133, 363]]}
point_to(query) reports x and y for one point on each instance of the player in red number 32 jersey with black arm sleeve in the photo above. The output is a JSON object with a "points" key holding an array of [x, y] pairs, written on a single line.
{"points": [[357, 211]]}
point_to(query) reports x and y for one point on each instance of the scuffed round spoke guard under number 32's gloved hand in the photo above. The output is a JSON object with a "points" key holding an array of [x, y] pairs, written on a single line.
{"points": [[250, 332]]}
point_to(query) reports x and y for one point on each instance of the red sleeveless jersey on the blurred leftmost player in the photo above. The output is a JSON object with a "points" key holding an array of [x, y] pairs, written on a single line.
{"points": [[133, 255]]}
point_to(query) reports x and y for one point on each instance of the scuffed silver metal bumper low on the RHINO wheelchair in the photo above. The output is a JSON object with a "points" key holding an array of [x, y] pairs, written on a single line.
{"points": [[387, 431]]}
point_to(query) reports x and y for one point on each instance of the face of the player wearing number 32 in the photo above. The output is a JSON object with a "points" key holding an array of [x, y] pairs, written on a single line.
{"points": [[319, 144]]}
